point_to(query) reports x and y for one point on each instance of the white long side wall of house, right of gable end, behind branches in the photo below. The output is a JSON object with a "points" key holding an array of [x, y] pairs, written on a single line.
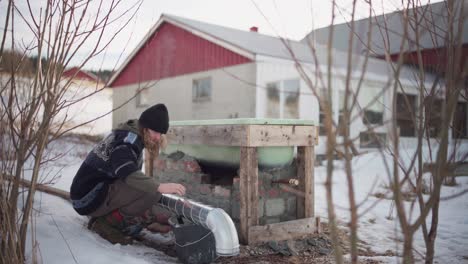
{"points": [[276, 70]]}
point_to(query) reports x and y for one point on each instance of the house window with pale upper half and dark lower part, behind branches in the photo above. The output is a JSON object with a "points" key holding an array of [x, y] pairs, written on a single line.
{"points": [[371, 101]]}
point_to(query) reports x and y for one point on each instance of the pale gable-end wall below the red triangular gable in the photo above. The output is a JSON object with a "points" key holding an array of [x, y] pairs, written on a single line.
{"points": [[232, 95]]}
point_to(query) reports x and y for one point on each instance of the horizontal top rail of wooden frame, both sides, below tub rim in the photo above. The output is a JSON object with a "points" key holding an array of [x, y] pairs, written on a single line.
{"points": [[244, 135]]}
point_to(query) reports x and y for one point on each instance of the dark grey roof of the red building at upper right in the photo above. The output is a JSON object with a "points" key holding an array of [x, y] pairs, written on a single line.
{"points": [[432, 27]]}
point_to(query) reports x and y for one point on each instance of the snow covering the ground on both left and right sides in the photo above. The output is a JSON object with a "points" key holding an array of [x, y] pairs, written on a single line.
{"points": [[62, 235]]}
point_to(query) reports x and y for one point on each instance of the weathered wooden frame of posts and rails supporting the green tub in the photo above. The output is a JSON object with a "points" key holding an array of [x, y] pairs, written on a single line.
{"points": [[248, 138]]}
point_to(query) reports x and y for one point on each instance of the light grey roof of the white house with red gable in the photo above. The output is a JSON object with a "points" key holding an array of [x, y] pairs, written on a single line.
{"points": [[250, 43]]}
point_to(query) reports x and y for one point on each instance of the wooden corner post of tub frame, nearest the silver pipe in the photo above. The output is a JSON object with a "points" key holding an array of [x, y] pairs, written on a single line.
{"points": [[248, 191]]}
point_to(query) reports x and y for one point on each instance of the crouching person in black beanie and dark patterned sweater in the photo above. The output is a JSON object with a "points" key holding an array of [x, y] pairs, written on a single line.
{"points": [[111, 188]]}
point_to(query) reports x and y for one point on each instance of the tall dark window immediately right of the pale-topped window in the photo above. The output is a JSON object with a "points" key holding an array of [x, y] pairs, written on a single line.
{"points": [[405, 114]]}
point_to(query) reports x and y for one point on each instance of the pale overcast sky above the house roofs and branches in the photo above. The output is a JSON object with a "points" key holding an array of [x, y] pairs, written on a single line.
{"points": [[289, 18]]}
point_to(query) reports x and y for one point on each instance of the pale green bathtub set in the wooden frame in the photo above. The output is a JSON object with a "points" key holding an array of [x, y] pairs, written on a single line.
{"points": [[229, 155]]}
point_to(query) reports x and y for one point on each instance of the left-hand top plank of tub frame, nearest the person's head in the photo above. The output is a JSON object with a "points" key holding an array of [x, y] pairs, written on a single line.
{"points": [[218, 135]]}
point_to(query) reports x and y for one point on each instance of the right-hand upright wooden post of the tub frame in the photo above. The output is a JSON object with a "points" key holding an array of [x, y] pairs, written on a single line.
{"points": [[305, 170]]}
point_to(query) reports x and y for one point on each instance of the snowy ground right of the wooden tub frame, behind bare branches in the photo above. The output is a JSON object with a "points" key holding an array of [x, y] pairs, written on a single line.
{"points": [[379, 226]]}
